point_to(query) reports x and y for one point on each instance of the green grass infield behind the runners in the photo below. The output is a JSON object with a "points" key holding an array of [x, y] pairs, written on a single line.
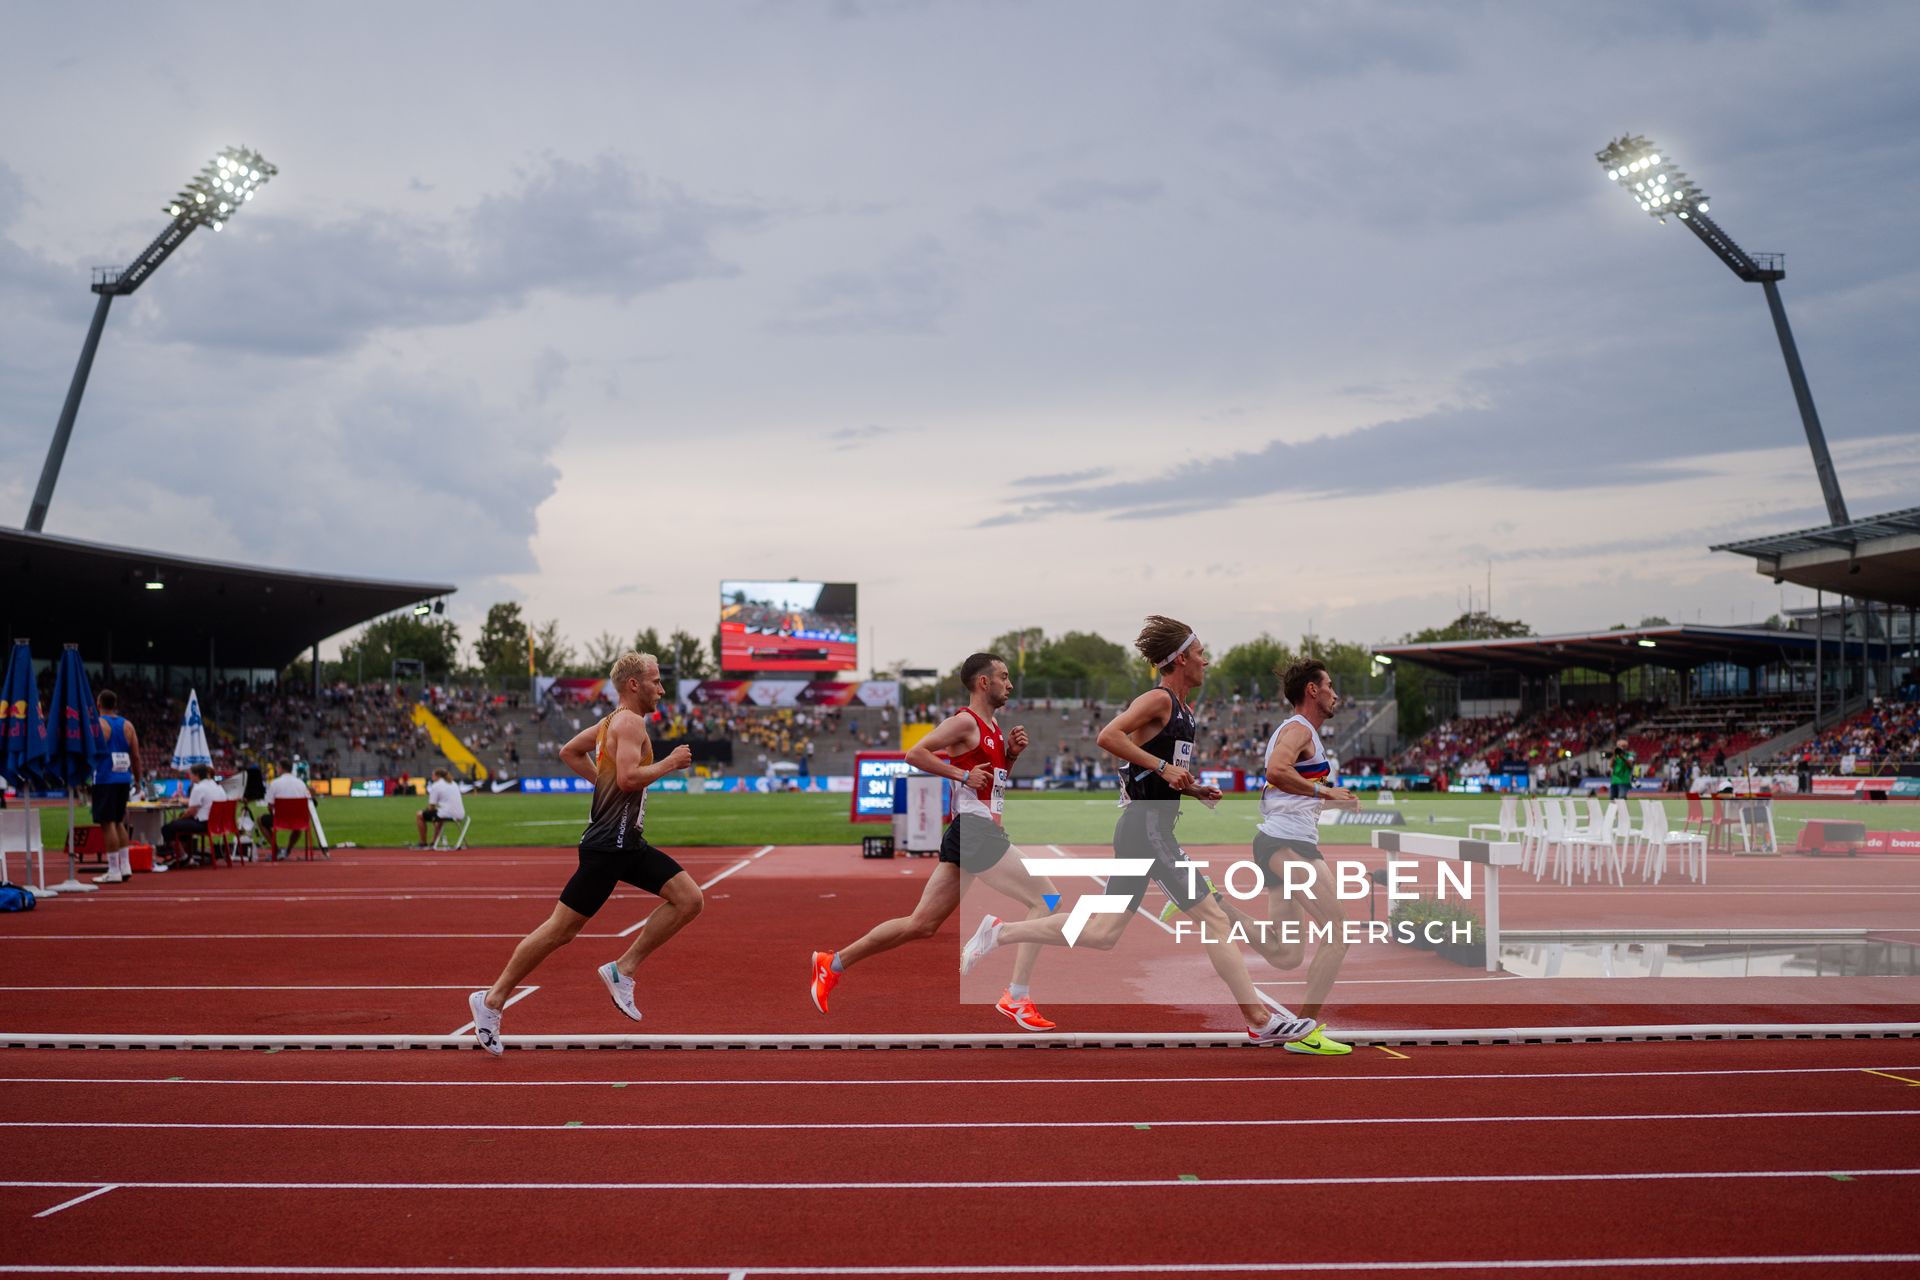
{"points": [[1032, 818]]}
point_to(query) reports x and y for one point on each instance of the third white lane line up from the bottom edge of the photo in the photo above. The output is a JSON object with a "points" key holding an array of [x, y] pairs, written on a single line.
{"points": [[915, 1126]]}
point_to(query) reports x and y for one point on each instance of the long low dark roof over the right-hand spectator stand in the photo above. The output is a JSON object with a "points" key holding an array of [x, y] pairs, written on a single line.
{"points": [[1673, 648]]}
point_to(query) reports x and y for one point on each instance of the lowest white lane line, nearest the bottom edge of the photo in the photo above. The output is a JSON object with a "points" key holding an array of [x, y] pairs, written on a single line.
{"points": [[994, 1269]]}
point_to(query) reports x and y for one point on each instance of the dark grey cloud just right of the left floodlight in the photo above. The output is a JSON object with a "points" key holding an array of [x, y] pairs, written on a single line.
{"points": [[299, 287]]}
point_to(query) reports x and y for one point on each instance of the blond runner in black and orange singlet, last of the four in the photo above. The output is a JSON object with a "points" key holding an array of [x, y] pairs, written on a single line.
{"points": [[617, 757]]}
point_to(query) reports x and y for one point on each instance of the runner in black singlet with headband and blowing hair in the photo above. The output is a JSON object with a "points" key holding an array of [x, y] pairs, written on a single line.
{"points": [[1155, 744]]}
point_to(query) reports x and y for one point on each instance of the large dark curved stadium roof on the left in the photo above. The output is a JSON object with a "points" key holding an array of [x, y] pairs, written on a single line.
{"points": [[60, 590]]}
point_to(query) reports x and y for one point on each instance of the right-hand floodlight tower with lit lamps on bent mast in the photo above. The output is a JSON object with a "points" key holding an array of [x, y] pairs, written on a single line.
{"points": [[1662, 189]]}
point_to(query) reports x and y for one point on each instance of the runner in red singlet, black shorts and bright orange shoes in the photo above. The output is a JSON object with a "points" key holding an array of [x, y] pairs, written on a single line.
{"points": [[978, 759]]}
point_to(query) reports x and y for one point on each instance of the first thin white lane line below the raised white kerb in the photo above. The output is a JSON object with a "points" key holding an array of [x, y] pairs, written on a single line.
{"points": [[926, 1081]]}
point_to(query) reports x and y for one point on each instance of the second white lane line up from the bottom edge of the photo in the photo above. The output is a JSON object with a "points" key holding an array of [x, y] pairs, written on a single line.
{"points": [[1042, 1185]]}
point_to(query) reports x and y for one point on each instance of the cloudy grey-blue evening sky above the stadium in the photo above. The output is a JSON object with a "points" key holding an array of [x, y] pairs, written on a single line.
{"points": [[1274, 318]]}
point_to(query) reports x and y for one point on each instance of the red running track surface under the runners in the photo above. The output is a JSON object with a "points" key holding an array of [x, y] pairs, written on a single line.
{"points": [[972, 1162]]}
